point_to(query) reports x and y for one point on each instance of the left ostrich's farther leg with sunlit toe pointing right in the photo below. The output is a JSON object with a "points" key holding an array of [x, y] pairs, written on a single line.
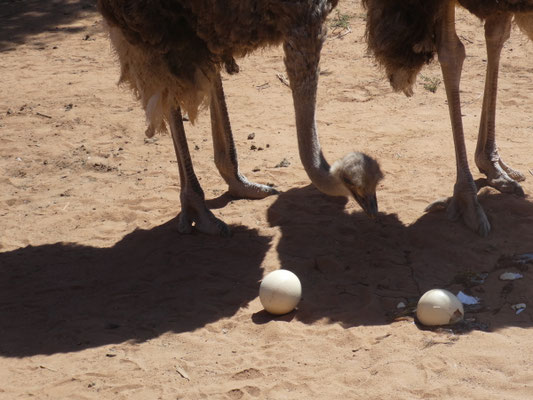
{"points": [[225, 152]]}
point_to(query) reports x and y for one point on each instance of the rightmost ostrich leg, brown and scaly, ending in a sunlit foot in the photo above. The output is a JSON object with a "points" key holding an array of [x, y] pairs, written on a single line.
{"points": [[499, 175]]}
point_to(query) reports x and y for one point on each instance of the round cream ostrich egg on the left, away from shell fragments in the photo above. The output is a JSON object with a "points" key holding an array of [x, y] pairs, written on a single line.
{"points": [[280, 292]]}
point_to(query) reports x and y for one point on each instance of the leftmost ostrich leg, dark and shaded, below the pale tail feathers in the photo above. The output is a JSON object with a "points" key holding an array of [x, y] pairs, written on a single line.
{"points": [[193, 208]]}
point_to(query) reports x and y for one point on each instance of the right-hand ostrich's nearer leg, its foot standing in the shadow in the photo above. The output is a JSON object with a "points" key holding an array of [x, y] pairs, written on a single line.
{"points": [[464, 203]]}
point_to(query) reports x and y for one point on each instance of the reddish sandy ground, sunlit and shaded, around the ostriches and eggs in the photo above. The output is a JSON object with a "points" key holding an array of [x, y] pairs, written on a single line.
{"points": [[101, 298]]}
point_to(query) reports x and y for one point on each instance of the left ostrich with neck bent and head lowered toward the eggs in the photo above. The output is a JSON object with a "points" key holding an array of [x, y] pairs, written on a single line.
{"points": [[171, 54]]}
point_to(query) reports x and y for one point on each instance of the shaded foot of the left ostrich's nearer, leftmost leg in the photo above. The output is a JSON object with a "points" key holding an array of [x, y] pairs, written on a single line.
{"points": [[204, 220]]}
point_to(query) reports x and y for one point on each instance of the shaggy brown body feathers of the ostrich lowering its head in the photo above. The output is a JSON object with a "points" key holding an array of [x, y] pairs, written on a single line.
{"points": [[169, 50]]}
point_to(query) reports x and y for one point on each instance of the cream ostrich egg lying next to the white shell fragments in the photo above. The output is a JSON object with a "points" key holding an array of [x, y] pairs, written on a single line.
{"points": [[439, 307]]}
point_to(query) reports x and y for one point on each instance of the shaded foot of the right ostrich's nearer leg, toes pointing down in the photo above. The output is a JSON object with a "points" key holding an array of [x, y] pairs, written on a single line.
{"points": [[463, 205]]}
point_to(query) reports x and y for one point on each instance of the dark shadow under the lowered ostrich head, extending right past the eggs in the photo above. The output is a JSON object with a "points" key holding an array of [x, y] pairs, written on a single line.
{"points": [[355, 271]]}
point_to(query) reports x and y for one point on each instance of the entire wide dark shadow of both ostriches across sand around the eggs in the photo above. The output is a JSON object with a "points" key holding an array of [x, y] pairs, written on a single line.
{"points": [[67, 297]]}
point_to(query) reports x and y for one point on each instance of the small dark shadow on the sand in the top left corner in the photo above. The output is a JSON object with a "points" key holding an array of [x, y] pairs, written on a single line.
{"points": [[21, 19]]}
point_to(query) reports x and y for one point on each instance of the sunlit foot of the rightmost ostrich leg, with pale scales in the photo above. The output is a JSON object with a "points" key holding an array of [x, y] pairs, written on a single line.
{"points": [[500, 176]]}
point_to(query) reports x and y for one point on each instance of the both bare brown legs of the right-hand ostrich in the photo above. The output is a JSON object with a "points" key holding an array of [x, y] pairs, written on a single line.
{"points": [[451, 54]]}
